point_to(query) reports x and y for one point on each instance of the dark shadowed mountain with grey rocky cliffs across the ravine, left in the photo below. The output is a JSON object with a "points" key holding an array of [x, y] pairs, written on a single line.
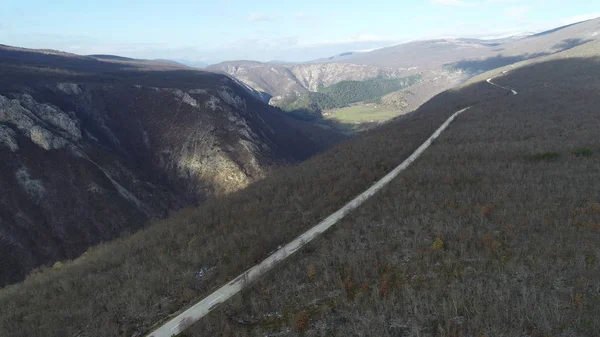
{"points": [[96, 146]]}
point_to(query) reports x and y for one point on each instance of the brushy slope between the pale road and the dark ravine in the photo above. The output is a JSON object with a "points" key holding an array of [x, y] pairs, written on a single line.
{"points": [[126, 286]]}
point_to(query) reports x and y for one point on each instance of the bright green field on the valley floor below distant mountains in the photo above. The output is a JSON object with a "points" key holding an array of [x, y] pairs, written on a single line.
{"points": [[361, 114]]}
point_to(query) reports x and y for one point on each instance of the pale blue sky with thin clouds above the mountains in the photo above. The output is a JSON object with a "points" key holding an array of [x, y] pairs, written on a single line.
{"points": [[218, 30]]}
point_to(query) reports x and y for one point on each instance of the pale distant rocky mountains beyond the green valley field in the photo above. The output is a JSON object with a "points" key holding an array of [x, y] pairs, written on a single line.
{"points": [[440, 64]]}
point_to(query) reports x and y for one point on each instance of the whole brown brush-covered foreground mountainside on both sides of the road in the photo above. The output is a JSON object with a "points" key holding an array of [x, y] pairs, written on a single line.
{"points": [[504, 203]]}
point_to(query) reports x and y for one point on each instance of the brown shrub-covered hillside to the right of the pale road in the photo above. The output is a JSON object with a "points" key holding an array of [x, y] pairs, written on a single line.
{"points": [[492, 232]]}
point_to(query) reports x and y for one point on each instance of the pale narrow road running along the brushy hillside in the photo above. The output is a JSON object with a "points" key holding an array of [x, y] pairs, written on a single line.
{"points": [[190, 316]]}
